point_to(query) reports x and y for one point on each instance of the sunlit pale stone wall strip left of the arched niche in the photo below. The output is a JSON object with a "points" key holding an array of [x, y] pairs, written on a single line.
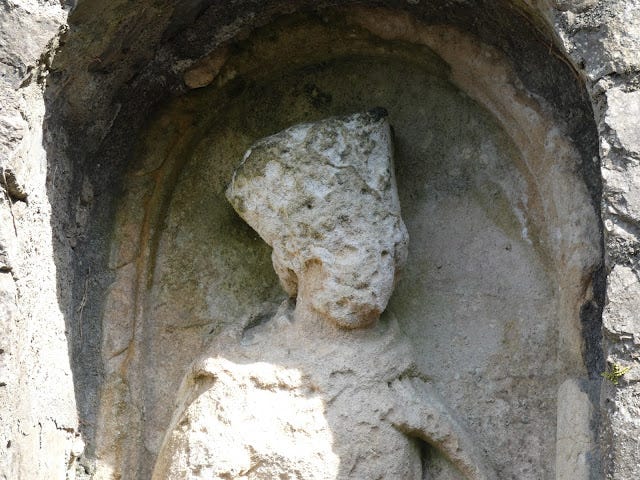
{"points": [[39, 432]]}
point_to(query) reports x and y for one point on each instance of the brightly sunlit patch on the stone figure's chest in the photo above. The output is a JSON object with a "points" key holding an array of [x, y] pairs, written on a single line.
{"points": [[273, 428]]}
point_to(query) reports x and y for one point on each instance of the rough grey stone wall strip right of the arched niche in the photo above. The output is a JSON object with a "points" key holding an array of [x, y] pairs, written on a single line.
{"points": [[603, 39]]}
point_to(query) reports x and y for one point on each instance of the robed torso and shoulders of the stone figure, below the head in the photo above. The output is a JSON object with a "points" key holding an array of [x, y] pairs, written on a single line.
{"points": [[350, 399]]}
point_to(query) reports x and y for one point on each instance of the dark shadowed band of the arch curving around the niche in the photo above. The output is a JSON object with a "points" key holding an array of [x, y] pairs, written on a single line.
{"points": [[98, 100]]}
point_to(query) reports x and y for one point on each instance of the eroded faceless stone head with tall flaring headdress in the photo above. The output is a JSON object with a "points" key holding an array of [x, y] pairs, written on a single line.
{"points": [[323, 196]]}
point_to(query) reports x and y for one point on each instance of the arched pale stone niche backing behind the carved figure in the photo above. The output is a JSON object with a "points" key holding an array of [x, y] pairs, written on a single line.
{"points": [[504, 243]]}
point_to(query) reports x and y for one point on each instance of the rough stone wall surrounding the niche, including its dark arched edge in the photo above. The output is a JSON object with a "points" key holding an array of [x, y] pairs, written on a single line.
{"points": [[80, 84]]}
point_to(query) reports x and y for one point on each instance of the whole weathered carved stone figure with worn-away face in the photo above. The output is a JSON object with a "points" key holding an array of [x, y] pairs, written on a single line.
{"points": [[323, 387]]}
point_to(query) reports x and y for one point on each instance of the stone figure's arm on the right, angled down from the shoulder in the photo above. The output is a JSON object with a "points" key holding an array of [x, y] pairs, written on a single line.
{"points": [[419, 413]]}
